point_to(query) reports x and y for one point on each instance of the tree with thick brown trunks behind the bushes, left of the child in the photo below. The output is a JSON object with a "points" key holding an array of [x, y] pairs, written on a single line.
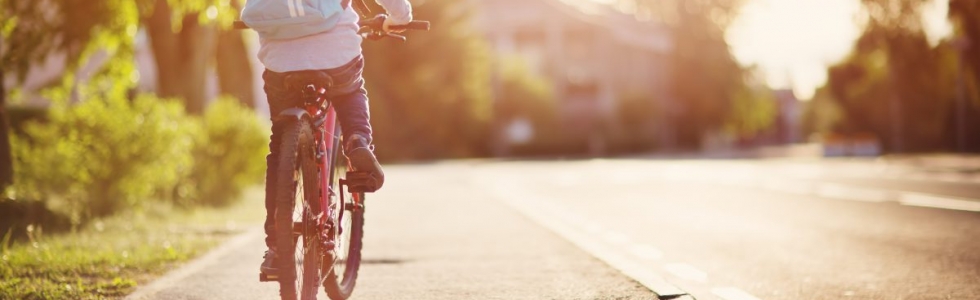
{"points": [[186, 36]]}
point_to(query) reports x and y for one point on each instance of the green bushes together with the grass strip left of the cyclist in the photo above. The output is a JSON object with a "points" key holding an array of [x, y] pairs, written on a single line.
{"points": [[112, 191]]}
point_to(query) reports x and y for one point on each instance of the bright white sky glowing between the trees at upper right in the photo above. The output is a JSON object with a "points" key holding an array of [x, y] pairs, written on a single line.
{"points": [[793, 42]]}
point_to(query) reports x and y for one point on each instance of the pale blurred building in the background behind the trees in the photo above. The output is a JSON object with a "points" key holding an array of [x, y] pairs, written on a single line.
{"points": [[594, 56]]}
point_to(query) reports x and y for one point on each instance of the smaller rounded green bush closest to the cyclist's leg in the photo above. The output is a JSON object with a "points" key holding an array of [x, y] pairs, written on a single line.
{"points": [[228, 157]]}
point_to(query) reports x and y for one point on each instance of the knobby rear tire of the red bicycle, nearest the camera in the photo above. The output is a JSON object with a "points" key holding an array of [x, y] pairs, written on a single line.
{"points": [[297, 193]]}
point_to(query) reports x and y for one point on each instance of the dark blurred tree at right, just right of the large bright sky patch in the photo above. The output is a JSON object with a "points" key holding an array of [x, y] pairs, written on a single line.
{"points": [[894, 84]]}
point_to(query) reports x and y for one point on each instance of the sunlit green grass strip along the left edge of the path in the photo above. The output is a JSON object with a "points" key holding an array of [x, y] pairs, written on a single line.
{"points": [[110, 258]]}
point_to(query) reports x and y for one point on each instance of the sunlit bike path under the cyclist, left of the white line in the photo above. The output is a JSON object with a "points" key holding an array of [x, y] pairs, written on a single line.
{"points": [[428, 236]]}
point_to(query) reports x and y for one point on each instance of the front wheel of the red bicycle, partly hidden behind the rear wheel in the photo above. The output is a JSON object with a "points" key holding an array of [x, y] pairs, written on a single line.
{"points": [[341, 286]]}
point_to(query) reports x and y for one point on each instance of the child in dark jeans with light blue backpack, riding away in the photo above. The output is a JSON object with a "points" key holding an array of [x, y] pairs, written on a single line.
{"points": [[298, 35]]}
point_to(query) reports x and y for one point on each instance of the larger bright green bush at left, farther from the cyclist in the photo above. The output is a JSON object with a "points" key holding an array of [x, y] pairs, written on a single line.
{"points": [[102, 155]]}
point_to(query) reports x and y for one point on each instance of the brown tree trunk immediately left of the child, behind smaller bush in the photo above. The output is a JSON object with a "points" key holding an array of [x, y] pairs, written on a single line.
{"points": [[233, 66]]}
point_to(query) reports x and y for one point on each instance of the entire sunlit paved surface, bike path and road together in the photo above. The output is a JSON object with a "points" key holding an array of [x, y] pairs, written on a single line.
{"points": [[633, 229]]}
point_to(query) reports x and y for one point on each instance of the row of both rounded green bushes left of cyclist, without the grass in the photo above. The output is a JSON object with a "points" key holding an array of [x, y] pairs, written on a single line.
{"points": [[108, 154]]}
